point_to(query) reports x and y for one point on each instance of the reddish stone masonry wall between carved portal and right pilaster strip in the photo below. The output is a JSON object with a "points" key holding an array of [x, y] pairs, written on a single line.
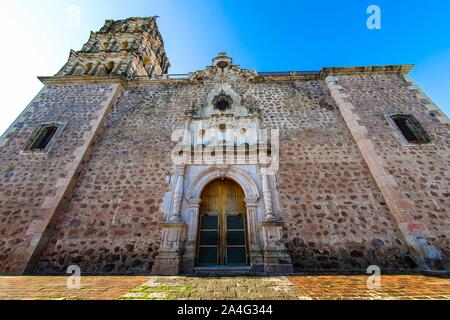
{"points": [[334, 213]]}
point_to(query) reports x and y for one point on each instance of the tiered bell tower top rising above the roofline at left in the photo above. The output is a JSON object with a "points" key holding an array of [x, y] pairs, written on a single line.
{"points": [[128, 48]]}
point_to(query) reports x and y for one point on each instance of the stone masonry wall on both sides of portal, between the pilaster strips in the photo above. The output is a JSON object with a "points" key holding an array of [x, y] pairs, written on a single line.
{"points": [[335, 215]]}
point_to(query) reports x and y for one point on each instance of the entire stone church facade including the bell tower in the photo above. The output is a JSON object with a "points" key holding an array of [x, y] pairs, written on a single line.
{"points": [[119, 167]]}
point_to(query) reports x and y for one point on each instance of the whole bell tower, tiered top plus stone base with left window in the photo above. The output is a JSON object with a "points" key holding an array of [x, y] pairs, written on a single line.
{"points": [[73, 108]]}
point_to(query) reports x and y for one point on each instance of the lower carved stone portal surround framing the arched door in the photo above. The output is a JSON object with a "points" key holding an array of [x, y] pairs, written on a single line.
{"points": [[267, 251]]}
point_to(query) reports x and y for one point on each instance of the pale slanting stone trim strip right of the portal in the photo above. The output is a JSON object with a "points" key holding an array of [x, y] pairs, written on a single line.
{"points": [[414, 232]]}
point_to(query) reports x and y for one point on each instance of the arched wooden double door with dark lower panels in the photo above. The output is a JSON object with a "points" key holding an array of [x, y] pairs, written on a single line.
{"points": [[222, 237]]}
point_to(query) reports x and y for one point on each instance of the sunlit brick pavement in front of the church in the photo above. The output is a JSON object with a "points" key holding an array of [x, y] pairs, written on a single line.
{"points": [[226, 288]]}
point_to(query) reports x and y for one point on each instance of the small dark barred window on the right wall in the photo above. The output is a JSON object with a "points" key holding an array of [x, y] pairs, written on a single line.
{"points": [[411, 130]]}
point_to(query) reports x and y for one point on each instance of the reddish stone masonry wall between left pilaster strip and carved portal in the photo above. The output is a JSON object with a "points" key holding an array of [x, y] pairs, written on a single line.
{"points": [[112, 223]]}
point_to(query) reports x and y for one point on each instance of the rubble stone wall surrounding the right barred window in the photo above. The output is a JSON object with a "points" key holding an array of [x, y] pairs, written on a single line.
{"points": [[420, 171]]}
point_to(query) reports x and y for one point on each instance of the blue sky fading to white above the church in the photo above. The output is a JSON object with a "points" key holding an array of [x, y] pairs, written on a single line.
{"points": [[261, 35]]}
